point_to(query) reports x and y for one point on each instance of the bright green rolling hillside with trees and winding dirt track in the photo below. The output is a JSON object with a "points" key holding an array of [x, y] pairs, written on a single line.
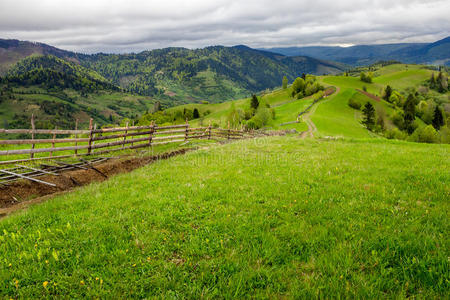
{"points": [[333, 116]]}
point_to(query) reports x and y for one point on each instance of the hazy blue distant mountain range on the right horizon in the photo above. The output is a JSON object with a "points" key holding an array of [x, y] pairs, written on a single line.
{"points": [[437, 53]]}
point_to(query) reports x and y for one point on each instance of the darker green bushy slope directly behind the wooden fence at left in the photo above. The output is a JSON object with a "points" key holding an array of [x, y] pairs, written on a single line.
{"points": [[61, 107]]}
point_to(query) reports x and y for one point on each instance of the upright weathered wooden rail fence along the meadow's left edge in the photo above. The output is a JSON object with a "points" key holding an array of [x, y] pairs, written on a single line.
{"points": [[88, 142]]}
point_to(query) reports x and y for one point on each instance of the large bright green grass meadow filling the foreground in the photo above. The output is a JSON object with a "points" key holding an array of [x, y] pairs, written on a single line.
{"points": [[269, 218]]}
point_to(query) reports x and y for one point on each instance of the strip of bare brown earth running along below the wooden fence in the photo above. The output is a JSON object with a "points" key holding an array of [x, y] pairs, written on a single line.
{"points": [[24, 190]]}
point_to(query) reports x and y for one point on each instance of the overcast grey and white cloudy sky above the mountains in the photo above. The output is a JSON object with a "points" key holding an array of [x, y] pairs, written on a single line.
{"points": [[134, 25]]}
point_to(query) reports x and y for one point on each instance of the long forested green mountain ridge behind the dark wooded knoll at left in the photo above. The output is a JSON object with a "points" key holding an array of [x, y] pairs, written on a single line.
{"points": [[214, 73]]}
